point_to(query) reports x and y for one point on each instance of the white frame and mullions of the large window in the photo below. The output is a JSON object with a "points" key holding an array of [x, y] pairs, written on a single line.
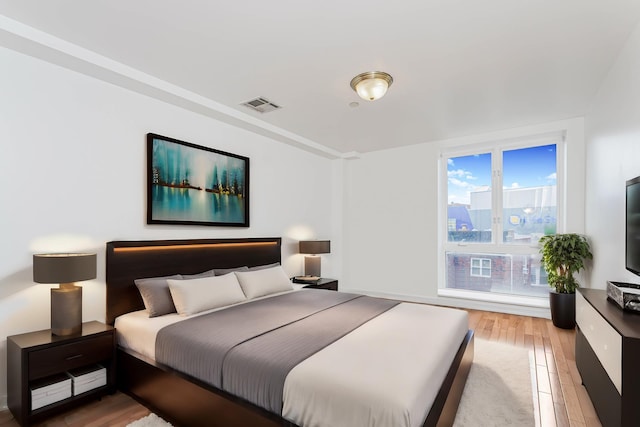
{"points": [[496, 149]]}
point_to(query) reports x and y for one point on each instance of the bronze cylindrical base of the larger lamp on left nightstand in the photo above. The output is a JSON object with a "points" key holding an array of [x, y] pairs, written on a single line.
{"points": [[66, 309]]}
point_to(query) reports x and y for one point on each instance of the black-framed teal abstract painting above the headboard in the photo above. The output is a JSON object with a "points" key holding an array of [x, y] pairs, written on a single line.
{"points": [[195, 185]]}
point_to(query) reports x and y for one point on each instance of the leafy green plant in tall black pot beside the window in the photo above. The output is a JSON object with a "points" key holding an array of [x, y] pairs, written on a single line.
{"points": [[562, 256]]}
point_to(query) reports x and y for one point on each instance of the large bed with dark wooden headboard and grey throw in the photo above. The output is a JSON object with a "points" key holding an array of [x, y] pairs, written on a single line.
{"points": [[307, 390]]}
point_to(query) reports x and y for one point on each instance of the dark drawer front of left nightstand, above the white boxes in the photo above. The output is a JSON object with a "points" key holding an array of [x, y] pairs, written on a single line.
{"points": [[68, 356]]}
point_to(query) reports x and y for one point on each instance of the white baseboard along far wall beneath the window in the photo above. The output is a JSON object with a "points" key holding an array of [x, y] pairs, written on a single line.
{"points": [[522, 310]]}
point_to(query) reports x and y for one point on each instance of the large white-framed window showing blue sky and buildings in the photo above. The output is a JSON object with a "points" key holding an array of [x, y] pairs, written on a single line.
{"points": [[499, 201]]}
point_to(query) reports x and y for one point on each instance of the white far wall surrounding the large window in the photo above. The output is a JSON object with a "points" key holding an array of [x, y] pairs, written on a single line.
{"points": [[391, 214]]}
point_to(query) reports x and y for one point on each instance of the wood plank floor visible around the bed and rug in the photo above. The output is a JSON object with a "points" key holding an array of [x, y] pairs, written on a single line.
{"points": [[559, 398]]}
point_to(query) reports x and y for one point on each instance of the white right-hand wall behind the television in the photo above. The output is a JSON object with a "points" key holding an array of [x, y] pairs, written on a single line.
{"points": [[613, 156]]}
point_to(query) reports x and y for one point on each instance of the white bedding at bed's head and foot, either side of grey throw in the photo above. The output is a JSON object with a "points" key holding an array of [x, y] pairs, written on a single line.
{"points": [[387, 372]]}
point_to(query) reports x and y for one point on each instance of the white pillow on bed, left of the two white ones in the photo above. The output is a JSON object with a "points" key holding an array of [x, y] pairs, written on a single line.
{"points": [[194, 296]]}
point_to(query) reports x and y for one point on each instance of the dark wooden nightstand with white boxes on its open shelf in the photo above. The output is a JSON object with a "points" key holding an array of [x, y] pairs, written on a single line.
{"points": [[37, 356]]}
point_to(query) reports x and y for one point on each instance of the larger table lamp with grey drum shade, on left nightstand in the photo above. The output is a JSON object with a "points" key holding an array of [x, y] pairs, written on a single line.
{"points": [[66, 300]]}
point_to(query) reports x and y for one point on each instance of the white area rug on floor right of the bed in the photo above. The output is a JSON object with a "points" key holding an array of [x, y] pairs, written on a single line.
{"points": [[498, 390]]}
